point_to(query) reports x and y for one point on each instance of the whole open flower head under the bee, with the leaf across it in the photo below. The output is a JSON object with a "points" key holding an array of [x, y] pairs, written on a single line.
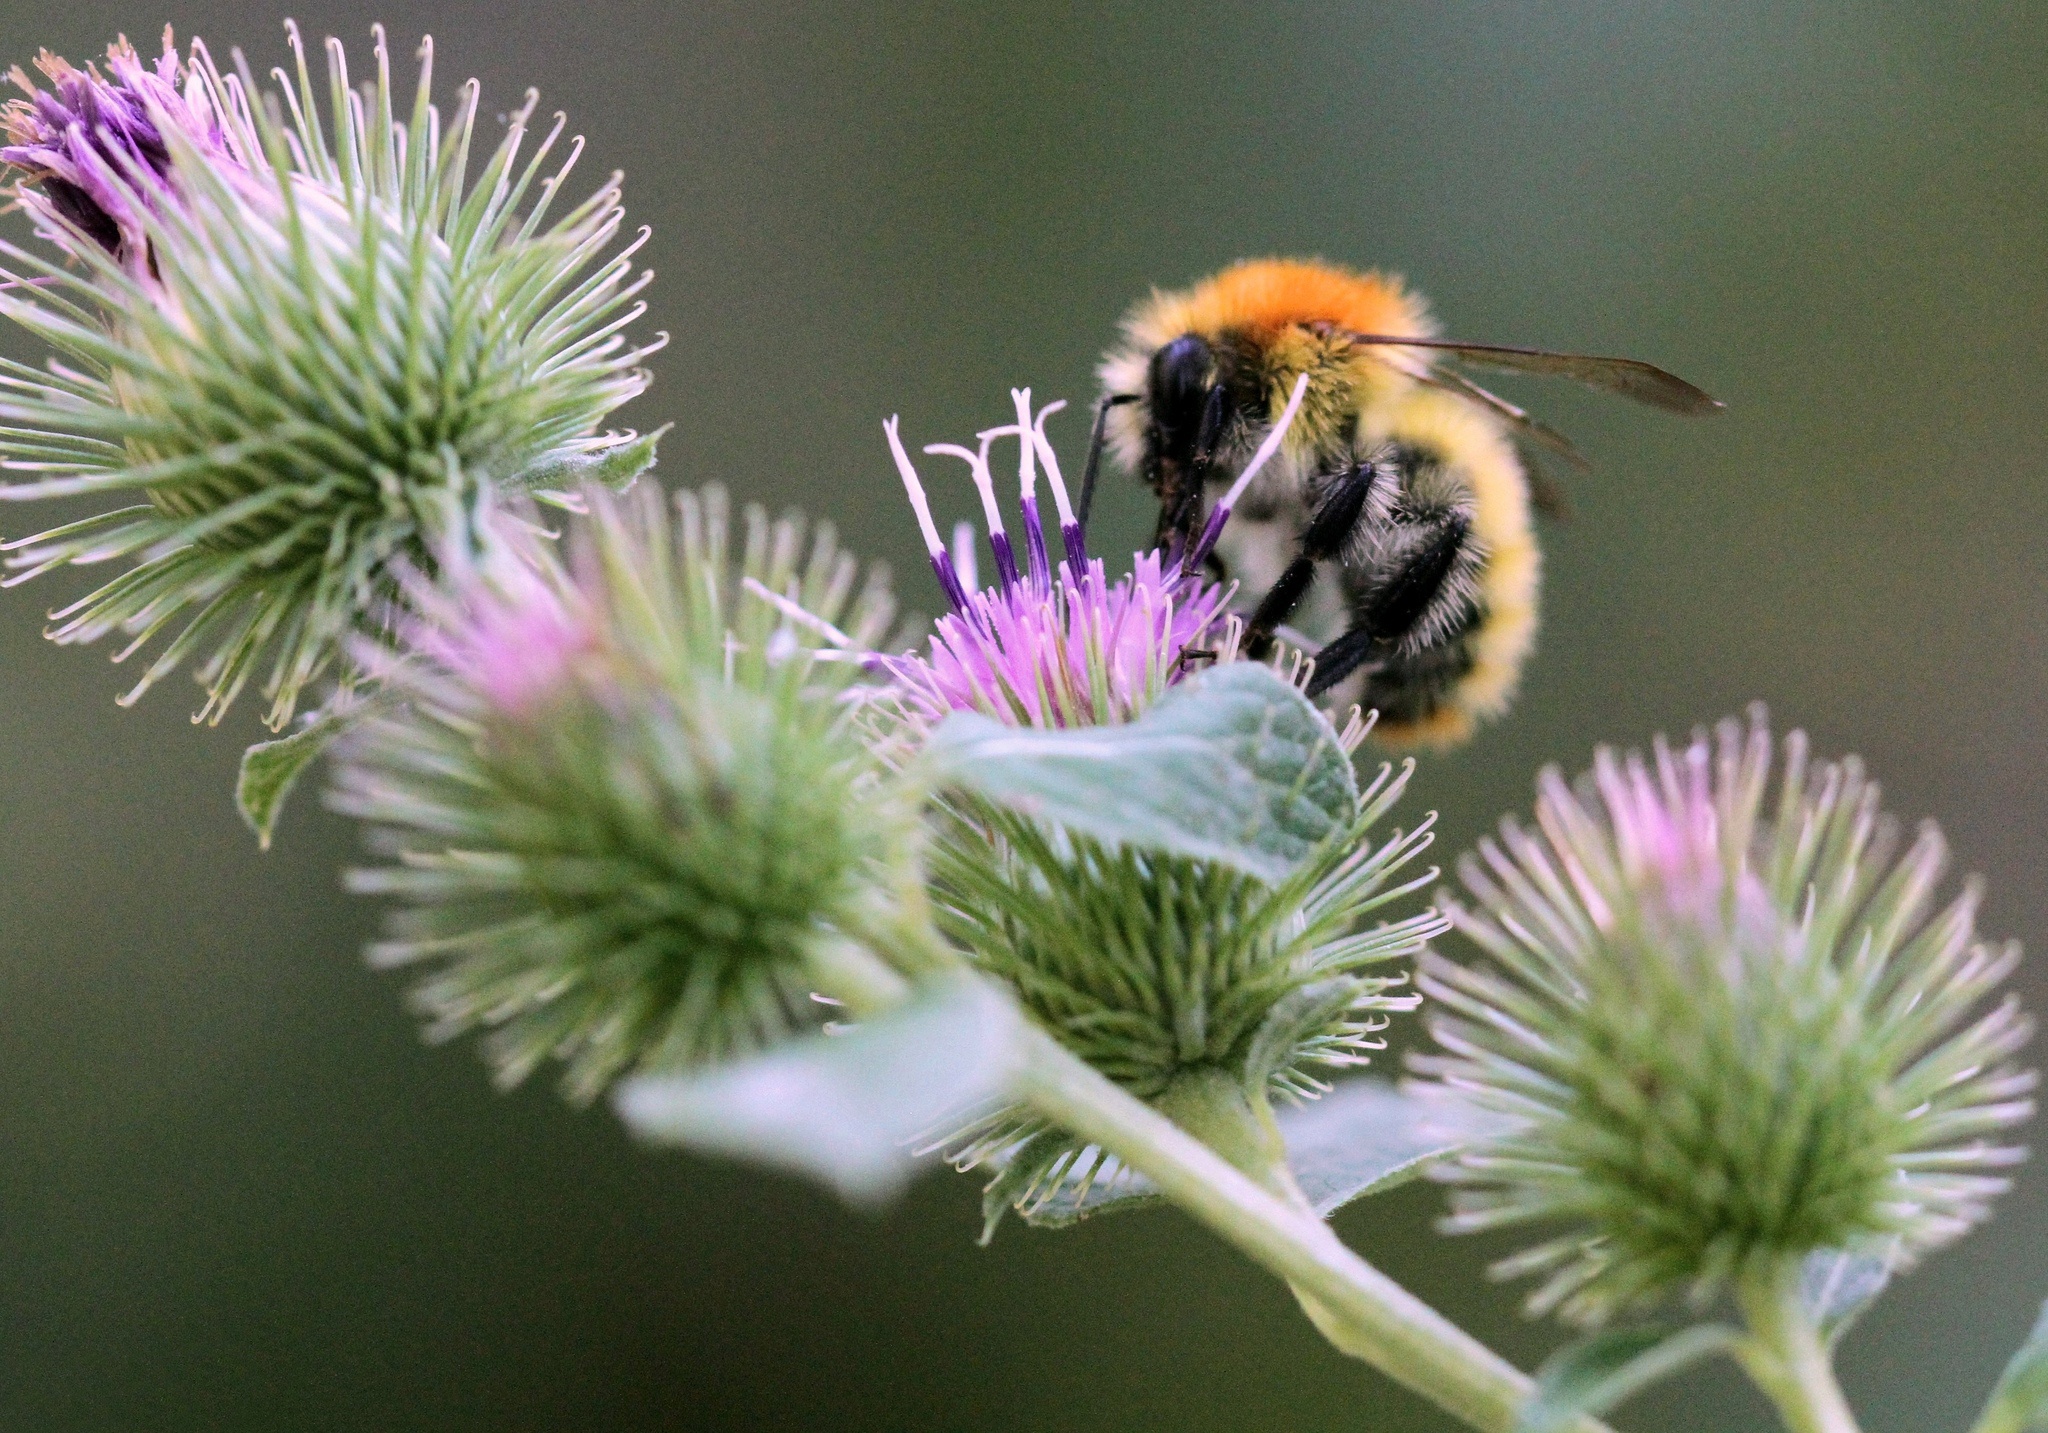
{"points": [[1160, 849]]}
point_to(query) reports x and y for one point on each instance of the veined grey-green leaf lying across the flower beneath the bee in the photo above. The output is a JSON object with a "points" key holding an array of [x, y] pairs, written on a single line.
{"points": [[1232, 767]]}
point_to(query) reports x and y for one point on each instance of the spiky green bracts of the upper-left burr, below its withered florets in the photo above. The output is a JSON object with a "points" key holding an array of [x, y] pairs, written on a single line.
{"points": [[323, 335]]}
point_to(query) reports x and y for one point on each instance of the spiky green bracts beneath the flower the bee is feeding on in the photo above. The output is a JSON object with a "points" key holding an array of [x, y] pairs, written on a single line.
{"points": [[1195, 986]]}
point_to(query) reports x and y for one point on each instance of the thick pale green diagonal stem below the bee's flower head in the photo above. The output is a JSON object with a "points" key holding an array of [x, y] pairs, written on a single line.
{"points": [[1363, 1311]]}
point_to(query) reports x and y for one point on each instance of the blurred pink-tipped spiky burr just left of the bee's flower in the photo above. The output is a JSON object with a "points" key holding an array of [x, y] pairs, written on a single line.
{"points": [[624, 799]]}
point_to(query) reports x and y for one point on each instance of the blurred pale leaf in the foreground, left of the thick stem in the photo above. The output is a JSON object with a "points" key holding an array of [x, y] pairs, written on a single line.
{"points": [[843, 1106]]}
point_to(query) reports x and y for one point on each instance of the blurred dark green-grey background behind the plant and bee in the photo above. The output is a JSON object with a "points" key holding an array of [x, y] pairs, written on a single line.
{"points": [[237, 1192]]}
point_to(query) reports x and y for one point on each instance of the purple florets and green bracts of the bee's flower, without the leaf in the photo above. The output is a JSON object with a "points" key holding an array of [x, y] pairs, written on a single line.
{"points": [[1193, 984]]}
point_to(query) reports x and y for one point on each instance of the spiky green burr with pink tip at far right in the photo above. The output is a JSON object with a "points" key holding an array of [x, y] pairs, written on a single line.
{"points": [[1734, 1035]]}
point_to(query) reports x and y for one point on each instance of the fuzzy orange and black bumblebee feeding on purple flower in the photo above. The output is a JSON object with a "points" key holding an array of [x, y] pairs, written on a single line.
{"points": [[1392, 531]]}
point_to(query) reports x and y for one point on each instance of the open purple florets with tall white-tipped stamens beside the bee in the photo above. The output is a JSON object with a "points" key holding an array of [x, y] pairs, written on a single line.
{"points": [[1054, 648]]}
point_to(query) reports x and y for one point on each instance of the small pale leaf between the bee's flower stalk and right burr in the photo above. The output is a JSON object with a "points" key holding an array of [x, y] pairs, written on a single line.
{"points": [[1369, 1135]]}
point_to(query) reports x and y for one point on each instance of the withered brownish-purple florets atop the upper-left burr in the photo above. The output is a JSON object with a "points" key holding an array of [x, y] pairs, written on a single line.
{"points": [[93, 148]]}
